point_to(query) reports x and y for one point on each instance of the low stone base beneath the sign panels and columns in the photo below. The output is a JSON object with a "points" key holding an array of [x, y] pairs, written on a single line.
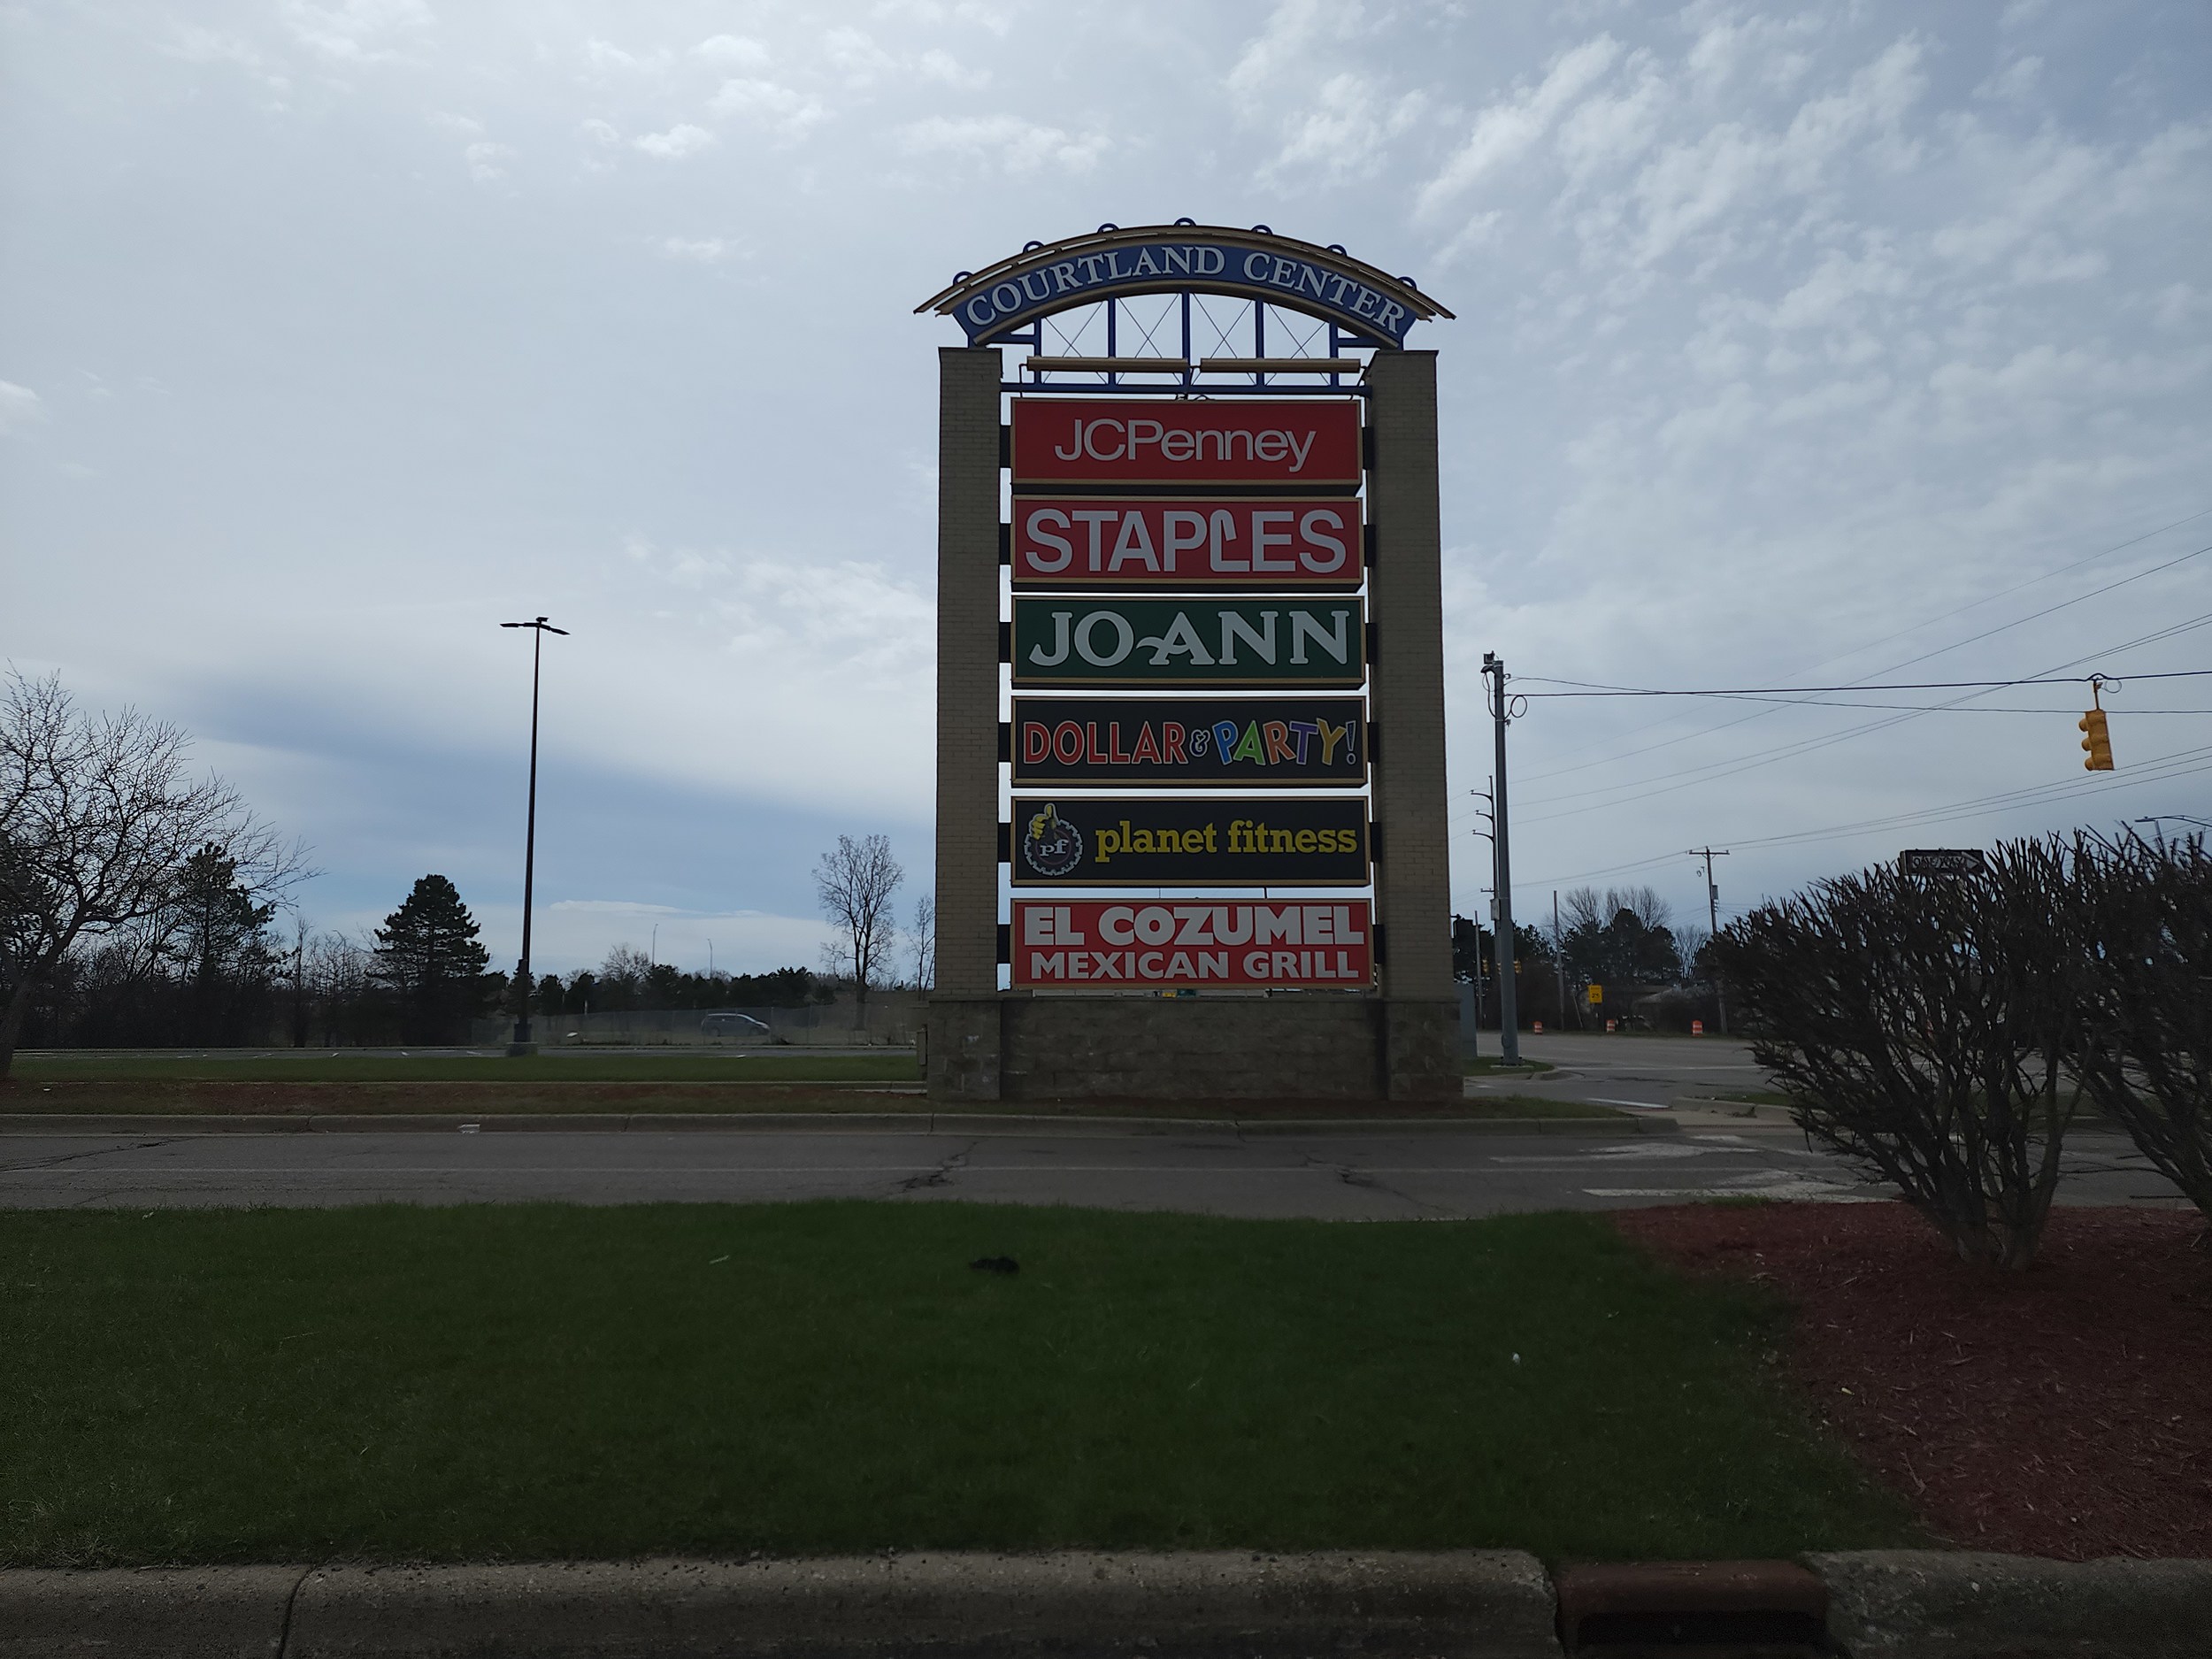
{"points": [[1023, 1047]]}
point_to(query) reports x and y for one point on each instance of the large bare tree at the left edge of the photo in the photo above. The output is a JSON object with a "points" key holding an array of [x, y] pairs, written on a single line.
{"points": [[98, 817]]}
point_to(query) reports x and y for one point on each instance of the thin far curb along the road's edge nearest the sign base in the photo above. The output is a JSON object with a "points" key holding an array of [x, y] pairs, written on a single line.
{"points": [[109, 1125]]}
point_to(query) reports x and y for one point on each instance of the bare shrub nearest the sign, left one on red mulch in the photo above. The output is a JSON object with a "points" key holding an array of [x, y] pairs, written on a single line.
{"points": [[1923, 1030]]}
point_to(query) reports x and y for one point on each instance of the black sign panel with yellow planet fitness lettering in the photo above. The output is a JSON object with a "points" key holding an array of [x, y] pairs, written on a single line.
{"points": [[1191, 842]]}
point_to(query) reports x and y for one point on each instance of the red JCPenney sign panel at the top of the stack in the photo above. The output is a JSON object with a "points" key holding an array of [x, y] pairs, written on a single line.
{"points": [[1231, 441]]}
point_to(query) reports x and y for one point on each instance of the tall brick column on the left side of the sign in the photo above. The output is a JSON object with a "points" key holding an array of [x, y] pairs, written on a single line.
{"points": [[963, 1010]]}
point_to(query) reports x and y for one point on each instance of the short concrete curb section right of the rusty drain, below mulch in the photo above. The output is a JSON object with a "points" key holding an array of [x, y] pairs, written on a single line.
{"points": [[1941, 1605]]}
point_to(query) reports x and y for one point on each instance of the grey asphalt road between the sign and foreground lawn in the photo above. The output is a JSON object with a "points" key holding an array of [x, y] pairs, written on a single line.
{"points": [[1215, 1171]]}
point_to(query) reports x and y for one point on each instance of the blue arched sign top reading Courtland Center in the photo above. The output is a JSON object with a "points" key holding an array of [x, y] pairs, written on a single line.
{"points": [[1176, 260]]}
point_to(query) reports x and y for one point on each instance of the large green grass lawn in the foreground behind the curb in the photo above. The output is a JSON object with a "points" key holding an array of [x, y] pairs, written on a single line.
{"points": [[541, 1381]]}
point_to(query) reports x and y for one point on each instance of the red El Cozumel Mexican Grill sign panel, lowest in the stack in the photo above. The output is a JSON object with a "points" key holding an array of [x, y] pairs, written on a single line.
{"points": [[1317, 946]]}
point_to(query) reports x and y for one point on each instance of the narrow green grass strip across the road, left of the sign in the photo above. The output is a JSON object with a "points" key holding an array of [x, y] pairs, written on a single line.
{"points": [[326, 1067]]}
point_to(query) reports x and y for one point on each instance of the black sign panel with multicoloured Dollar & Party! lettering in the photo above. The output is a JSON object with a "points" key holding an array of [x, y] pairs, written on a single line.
{"points": [[1191, 742]]}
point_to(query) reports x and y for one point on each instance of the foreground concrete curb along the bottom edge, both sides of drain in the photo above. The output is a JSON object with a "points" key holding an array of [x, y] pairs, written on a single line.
{"points": [[1481, 1605]]}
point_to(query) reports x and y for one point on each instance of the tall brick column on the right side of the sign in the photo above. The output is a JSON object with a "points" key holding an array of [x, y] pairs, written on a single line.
{"points": [[1408, 687]]}
